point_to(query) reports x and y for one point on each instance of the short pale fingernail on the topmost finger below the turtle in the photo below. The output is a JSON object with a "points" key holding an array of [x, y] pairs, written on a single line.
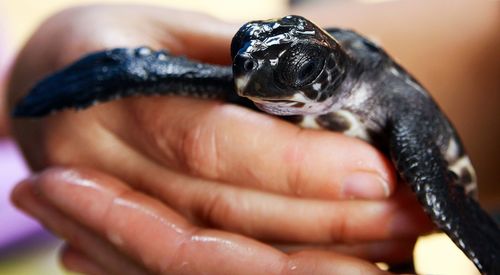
{"points": [[365, 185]]}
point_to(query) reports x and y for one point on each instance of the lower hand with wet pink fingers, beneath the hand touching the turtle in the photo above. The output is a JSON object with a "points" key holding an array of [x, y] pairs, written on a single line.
{"points": [[113, 229]]}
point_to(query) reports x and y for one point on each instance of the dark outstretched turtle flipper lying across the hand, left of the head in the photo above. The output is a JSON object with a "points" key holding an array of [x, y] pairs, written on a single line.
{"points": [[121, 72]]}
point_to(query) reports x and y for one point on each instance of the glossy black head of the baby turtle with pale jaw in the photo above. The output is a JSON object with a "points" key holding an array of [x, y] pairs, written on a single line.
{"points": [[287, 66]]}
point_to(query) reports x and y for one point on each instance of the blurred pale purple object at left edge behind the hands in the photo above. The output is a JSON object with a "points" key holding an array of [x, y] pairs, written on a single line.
{"points": [[14, 225]]}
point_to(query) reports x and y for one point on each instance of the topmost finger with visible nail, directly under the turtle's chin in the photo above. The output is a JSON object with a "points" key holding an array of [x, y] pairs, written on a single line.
{"points": [[234, 145]]}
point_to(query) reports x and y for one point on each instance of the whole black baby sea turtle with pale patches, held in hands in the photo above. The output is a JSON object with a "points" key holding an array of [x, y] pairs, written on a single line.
{"points": [[331, 79]]}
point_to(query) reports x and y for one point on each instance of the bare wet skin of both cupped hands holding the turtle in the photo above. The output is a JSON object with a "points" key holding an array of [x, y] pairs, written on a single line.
{"points": [[199, 166]]}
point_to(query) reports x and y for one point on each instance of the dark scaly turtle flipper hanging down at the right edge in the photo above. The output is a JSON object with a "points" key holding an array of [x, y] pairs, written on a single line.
{"points": [[421, 163]]}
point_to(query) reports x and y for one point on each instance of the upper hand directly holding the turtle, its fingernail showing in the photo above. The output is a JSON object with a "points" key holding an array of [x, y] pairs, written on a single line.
{"points": [[217, 165]]}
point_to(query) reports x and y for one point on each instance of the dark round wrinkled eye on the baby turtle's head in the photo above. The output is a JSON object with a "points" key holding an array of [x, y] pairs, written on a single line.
{"points": [[300, 65]]}
